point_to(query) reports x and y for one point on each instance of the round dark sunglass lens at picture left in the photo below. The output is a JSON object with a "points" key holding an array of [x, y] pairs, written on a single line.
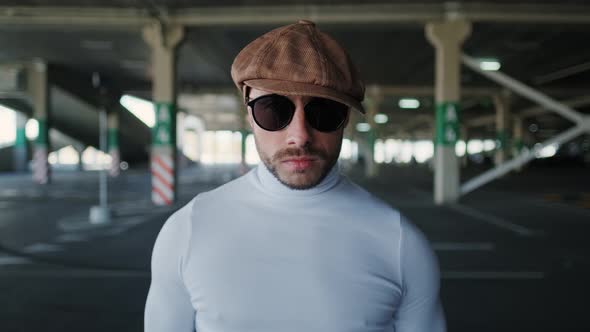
{"points": [[273, 112]]}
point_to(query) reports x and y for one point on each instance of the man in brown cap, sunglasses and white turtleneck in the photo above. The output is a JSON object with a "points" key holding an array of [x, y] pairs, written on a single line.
{"points": [[293, 245]]}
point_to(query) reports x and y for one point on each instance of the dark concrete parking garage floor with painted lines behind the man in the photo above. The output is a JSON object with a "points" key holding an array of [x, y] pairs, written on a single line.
{"points": [[513, 255]]}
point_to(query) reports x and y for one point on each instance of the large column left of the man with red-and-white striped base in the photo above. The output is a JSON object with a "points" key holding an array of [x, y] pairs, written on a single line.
{"points": [[163, 42]]}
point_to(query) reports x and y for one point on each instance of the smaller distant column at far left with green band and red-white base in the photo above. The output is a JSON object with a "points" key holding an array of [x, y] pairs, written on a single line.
{"points": [[39, 91]]}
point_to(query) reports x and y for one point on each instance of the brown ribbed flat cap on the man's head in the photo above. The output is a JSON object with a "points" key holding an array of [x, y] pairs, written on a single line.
{"points": [[298, 59]]}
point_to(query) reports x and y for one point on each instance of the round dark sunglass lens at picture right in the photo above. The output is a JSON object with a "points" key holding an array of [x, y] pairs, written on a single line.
{"points": [[325, 115]]}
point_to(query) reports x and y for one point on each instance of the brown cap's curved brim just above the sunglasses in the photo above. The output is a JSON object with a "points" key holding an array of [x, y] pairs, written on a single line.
{"points": [[304, 89]]}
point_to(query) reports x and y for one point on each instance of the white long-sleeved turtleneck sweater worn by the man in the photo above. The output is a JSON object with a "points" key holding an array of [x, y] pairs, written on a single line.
{"points": [[256, 256]]}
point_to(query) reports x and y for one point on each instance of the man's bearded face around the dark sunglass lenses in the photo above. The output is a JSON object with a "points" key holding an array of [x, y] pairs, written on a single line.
{"points": [[299, 156]]}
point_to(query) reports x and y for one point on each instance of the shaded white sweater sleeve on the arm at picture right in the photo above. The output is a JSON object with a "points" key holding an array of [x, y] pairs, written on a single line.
{"points": [[420, 309]]}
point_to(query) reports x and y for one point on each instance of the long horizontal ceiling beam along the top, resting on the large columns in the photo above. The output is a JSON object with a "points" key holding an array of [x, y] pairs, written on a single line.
{"points": [[324, 14]]}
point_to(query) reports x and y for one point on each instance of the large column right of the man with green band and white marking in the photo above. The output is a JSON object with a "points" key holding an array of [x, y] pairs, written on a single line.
{"points": [[447, 38]]}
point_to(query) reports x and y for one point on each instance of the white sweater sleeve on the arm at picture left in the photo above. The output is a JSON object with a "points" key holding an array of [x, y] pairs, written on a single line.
{"points": [[168, 306]]}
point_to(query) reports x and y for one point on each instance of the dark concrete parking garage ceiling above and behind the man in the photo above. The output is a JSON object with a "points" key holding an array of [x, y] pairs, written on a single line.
{"points": [[543, 44]]}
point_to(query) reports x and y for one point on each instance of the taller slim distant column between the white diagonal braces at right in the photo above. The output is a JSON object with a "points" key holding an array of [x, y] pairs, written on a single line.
{"points": [[502, 104]]}
